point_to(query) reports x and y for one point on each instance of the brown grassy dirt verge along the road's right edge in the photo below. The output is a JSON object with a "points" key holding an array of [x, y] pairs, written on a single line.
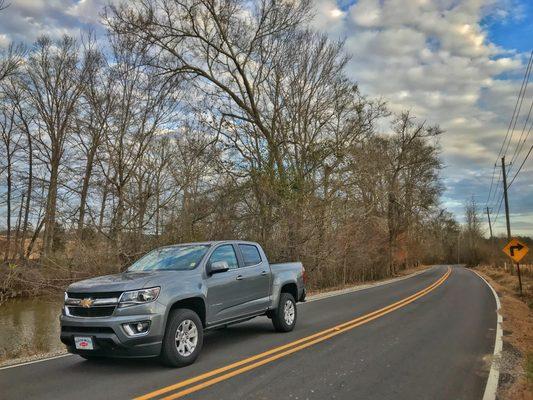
{"points": [[516, 367]]}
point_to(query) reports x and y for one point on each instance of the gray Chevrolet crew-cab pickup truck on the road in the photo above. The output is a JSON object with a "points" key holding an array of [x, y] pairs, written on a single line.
{"points": [[161, 305]]}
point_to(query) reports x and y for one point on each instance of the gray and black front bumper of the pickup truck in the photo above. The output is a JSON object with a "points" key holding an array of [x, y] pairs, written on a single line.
{"points": [[109, 336]]}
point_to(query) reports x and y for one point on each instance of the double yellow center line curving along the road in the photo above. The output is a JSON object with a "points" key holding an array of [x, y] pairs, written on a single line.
{"points": [[221, 374]]}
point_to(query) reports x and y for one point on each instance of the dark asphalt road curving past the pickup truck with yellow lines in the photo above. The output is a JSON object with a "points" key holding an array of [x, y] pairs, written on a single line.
{"points": [[434, 345]]}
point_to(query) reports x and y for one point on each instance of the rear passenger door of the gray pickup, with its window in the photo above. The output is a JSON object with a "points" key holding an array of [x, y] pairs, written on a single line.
{"points": [[256, 276]]}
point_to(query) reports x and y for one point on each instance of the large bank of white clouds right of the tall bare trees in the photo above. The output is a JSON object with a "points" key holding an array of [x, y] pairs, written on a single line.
{"points": [[434, 57]]}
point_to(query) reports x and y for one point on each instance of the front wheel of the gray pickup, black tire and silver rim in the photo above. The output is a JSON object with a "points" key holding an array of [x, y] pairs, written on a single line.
{"points": [[176, 352]]}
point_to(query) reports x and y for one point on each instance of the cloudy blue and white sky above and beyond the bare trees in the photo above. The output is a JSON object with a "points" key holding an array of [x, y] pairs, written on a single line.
{"points": [[458, 63]]}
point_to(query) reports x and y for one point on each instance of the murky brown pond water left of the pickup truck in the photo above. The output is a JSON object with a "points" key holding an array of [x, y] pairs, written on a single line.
{"points": [[30, 326]]}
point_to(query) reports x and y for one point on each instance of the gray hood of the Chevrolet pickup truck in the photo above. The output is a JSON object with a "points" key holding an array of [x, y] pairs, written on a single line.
{"points": [[115, 283]]}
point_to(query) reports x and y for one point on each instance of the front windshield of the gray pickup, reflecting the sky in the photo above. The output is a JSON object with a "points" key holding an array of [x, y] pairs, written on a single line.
{"points": [[179, 258]]}
